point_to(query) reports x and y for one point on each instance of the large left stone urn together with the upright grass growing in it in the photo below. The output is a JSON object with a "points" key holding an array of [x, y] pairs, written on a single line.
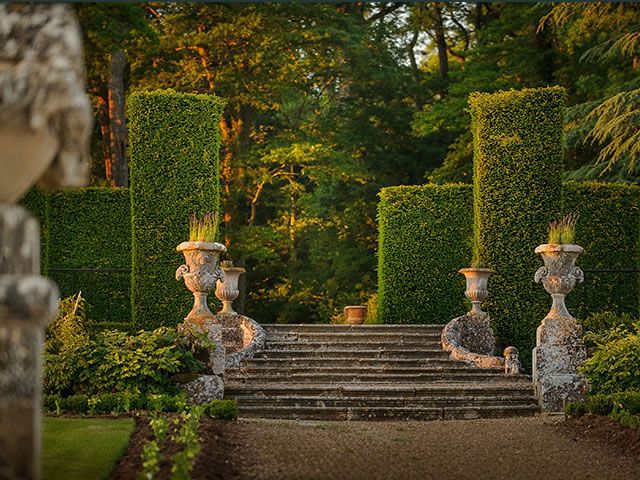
{"points": [[201, 270]]}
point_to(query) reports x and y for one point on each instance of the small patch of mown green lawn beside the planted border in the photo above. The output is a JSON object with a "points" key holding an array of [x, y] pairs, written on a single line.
{"points": [[83, 448]]}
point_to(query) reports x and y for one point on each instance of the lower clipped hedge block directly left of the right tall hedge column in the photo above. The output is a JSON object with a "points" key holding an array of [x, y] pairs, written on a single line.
{"points": [[424, 239]]}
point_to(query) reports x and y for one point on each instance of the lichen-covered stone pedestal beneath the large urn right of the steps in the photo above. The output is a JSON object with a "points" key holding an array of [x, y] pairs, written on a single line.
{"points": [[558, 353]]}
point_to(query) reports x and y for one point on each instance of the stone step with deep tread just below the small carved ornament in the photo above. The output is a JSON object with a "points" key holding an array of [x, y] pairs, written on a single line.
{"points": [[470, 389]]}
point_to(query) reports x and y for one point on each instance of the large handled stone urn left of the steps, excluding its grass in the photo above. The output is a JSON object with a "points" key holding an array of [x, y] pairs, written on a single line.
{"points": [[200, 273]]}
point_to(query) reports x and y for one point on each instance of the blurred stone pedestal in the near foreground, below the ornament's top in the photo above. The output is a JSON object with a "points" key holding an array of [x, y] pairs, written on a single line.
{"points": [[28, 302]]}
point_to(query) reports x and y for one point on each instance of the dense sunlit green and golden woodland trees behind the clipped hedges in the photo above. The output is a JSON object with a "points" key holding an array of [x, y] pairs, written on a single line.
{"points": [[327, 103]]}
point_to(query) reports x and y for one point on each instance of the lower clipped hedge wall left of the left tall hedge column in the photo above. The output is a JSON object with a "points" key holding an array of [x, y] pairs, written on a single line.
{"points": [[91, 229]]}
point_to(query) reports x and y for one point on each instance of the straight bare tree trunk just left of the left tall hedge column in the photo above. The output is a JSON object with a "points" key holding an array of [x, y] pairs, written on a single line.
{"points": [[117, 125]]}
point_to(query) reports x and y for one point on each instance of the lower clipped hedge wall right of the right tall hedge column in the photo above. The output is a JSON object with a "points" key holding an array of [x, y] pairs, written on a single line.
{"points": [[608, 228]]}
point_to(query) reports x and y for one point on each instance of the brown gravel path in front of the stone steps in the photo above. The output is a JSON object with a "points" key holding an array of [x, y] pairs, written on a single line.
{"points": [[517, 449]]}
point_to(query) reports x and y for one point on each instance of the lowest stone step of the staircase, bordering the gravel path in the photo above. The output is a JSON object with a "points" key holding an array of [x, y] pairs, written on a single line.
{"points": [[388, 413]]}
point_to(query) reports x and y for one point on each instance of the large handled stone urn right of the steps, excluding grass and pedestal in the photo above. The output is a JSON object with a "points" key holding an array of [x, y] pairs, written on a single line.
{"points": [[559, 275]]}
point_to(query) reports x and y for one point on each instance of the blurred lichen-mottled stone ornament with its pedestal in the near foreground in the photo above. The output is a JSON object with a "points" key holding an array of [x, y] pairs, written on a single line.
{"points": [[45, 119]]}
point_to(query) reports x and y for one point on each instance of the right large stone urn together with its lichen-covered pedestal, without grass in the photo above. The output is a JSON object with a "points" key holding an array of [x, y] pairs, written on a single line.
{"points": [[559, 350]]}
